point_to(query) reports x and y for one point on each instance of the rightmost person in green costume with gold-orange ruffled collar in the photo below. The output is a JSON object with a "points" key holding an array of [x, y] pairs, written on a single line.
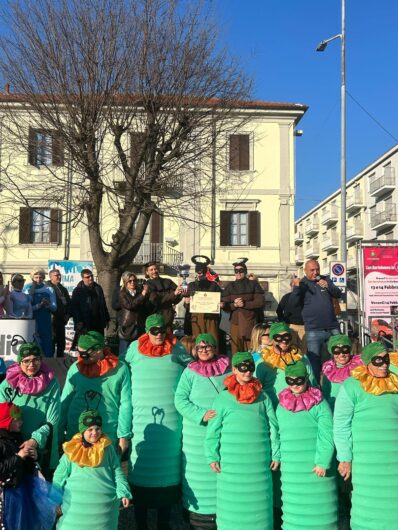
{"points": [[365, 436]]}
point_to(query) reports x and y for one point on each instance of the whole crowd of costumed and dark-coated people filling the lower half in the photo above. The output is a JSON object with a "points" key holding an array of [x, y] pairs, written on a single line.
{"points": [[269, 433]]}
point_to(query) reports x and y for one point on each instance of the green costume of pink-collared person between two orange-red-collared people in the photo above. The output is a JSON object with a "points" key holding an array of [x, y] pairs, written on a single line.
{"points": [[194, 397]]}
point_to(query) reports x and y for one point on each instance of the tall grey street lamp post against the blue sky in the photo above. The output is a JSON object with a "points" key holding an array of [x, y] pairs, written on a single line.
{"points": [[343, 181]]}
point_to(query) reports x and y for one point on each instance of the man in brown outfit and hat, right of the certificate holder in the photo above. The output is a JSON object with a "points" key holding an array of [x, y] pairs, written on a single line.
{"points": [[242, 298]]}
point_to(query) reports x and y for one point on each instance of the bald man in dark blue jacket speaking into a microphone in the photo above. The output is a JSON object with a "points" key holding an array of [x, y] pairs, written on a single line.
{"points": [[315, 294]]}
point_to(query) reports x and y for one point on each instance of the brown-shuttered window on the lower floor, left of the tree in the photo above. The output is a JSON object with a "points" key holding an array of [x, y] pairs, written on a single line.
{"points": [[39, 225]]}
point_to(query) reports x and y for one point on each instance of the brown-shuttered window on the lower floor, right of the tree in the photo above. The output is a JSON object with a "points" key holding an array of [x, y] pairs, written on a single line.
{"points": [[240, 228]]}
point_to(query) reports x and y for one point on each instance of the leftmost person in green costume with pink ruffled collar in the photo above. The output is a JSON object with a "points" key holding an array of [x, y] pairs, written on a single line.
{"points": [[31, 385]]}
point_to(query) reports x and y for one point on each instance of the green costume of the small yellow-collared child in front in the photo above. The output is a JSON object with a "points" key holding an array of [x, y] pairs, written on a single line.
{"points": [[91, 494]]}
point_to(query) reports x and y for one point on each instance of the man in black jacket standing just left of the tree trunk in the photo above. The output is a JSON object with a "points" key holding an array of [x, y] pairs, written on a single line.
{"points": [[88, 305]]}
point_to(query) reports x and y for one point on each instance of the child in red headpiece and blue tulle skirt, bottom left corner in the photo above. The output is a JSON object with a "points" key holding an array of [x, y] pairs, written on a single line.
{"points": [[27, 501]]}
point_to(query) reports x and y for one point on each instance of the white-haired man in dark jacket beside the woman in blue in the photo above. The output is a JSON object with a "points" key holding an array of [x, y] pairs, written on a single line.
{"points": [[61, 316]]}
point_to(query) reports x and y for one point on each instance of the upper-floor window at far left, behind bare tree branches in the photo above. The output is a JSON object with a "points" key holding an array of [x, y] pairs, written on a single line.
{"points": [[45, 148]]}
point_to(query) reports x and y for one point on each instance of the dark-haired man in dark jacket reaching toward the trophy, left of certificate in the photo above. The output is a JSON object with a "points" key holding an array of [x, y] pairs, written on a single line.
{"points": [[163, 293]]}
